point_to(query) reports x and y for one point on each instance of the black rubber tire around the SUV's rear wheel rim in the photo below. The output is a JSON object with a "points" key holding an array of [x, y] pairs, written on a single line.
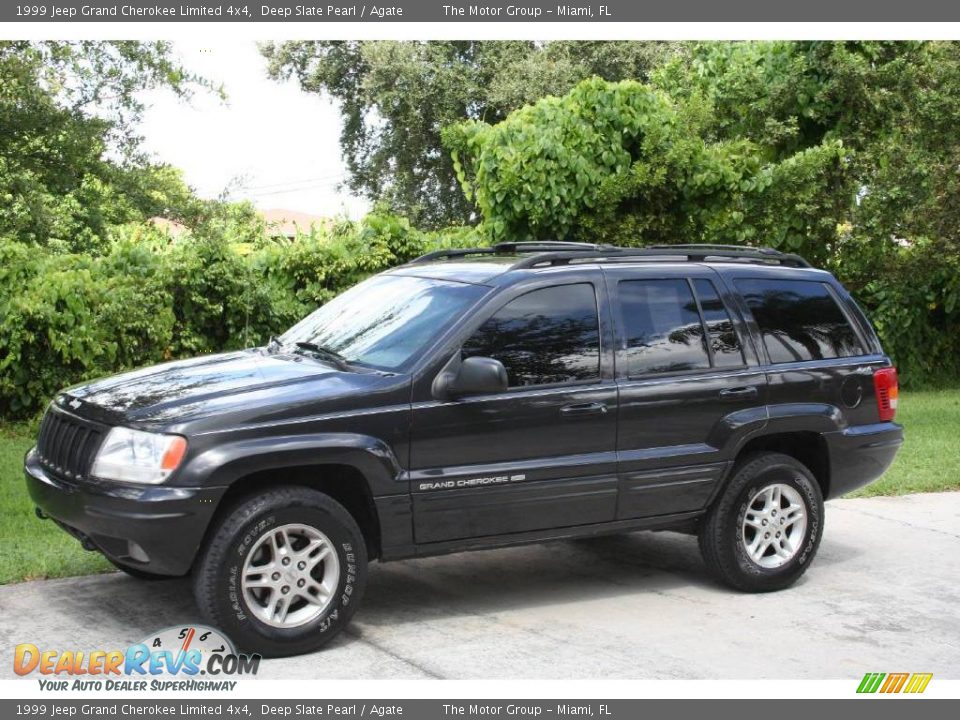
{"points": [[722, 533]]}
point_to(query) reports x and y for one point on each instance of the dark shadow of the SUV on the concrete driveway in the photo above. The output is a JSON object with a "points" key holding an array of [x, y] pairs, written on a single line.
{"points": [[413, 591]]}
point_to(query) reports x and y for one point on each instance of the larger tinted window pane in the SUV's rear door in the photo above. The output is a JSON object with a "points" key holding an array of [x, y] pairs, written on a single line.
{"points": [[663, 327]]}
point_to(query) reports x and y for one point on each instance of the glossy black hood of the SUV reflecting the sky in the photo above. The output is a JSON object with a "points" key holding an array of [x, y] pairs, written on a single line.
{"points": [[247, 384]]}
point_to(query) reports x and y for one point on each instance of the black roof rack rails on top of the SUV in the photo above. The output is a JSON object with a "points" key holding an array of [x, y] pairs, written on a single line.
{"points": [[562, 253]]}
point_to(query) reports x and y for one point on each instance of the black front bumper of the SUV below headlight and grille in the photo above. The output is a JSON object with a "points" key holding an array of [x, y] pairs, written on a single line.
{"points": [[154, 528]]}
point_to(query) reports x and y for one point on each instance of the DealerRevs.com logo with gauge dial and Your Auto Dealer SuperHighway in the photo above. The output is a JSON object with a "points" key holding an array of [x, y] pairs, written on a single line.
{"points": [[193, 657]]}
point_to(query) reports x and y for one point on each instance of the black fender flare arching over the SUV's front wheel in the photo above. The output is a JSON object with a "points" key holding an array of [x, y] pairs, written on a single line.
{"points": [[224, 464]]}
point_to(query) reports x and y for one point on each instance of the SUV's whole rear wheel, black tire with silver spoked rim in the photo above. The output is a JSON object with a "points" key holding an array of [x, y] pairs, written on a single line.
{"points": [[763, 532]]}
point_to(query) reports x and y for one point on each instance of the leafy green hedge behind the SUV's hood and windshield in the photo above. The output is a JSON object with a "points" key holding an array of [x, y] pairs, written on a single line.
{"points": [[72, 316]]}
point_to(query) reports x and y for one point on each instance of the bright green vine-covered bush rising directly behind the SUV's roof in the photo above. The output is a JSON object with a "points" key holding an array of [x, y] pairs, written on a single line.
{"points": [[626, 163]]}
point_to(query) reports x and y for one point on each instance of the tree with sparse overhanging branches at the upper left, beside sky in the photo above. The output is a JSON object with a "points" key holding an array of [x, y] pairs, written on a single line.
{"points": [[70, 164]]}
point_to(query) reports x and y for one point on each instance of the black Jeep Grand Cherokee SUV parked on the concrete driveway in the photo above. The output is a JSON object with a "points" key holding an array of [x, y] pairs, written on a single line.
{"points": [[477, 398]]}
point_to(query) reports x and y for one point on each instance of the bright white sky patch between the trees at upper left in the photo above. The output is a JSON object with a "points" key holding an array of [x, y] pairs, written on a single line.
{"points": [[270, 142]]}
